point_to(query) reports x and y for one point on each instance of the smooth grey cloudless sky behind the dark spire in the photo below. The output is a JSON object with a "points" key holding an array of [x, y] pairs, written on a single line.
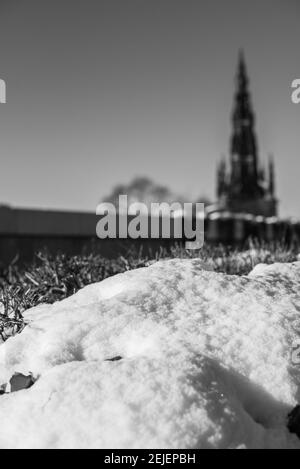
{"points": [[102, 91]]}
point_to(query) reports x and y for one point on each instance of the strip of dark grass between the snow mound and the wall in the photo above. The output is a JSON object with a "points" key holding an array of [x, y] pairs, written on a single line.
{"points": [[52, 278]]}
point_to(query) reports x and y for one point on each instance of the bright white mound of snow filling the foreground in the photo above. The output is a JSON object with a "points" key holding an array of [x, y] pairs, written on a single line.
{"points": [[206, 362]]}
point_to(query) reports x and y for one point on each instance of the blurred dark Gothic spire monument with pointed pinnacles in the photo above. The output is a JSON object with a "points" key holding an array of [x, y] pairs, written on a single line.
{"points": [[243, 186]]}
